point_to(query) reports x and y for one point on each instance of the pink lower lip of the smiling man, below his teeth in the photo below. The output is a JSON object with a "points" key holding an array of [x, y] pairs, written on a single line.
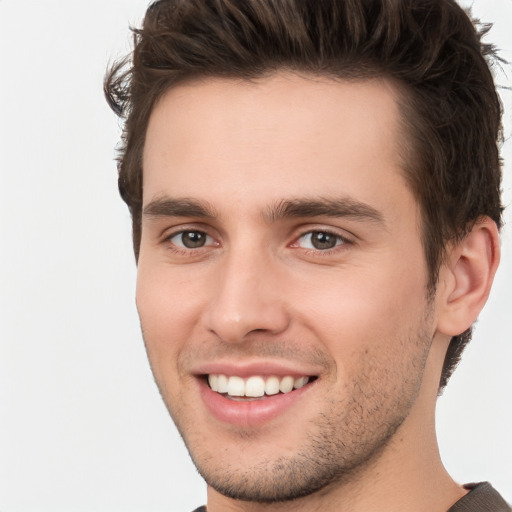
{"points": [[253, 413]]}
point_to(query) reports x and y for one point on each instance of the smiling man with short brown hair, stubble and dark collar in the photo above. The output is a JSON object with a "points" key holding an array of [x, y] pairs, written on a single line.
{"points": [[314, 189]]}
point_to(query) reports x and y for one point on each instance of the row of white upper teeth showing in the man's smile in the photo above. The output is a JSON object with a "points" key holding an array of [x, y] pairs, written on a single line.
{"points": [[255, 386]]}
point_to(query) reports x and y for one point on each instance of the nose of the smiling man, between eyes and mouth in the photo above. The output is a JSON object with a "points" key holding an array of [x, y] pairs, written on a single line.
{"points": [[248, 298]]}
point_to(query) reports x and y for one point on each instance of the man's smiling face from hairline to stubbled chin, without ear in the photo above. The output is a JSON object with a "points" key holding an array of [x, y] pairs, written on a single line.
{"points": [[281, 280]]}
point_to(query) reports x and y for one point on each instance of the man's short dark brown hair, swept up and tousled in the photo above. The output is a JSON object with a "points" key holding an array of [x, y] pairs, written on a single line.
{"points": [[430, 48]]}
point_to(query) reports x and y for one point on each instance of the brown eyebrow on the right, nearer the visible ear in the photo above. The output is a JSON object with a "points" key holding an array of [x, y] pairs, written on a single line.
{"points": [[324, 207]]}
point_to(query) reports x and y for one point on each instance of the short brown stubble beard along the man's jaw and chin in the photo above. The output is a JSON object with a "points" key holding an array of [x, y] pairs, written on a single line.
{"points": [[339, 446]]}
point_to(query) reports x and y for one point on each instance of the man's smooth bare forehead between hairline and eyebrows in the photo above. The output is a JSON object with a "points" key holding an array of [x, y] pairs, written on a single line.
{"points": [[284, 134]]}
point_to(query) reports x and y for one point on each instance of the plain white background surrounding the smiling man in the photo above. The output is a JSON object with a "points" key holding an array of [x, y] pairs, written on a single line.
{"points": [[82, 427]]}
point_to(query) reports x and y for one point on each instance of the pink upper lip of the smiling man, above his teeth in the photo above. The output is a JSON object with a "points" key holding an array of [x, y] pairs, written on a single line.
{"points": [[248, 369]]}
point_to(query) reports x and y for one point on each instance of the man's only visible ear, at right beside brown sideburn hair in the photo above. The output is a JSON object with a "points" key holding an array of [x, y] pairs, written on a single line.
{"points": [[466, 277]]}
